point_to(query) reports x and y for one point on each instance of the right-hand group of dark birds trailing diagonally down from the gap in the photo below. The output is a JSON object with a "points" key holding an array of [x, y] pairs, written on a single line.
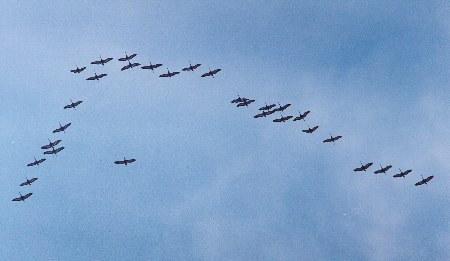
{"points": [[270, 109]]}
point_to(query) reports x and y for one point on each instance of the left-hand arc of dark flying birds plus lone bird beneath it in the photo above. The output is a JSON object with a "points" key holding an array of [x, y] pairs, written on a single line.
{"points": [[62, 128]]}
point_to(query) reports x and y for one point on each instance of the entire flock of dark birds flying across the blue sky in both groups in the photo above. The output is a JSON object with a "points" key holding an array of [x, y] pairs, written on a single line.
{"points": [[265, 111]]}
